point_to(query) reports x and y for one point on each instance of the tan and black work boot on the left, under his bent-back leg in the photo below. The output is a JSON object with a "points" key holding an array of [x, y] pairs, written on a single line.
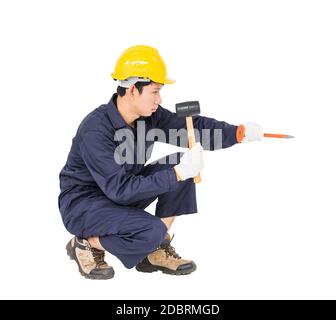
{"points": [[91, 263]]}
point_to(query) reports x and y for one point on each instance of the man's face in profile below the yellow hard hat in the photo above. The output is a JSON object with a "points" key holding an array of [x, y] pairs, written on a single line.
{"points": [[148, 101]]}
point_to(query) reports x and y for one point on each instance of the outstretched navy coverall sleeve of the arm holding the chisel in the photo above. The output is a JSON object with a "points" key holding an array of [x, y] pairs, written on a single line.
{"points": [[212, 134]]}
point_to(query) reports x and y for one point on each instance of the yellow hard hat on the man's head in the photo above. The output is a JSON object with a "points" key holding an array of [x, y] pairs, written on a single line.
{"points": [[143, 62]]}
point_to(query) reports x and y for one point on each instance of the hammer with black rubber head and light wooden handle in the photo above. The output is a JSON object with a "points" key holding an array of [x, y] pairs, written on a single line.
{"points": [[188, 109]]}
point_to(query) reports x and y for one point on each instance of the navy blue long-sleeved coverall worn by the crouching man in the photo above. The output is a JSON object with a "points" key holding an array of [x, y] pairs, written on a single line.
{"points": [[100, 197]]}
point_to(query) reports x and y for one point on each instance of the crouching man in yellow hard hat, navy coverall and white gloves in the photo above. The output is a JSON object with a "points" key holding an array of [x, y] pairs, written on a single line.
{"points": [[103, 196]]}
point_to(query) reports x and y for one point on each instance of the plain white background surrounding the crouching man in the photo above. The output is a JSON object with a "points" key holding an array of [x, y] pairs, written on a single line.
{"points": [[266, 222]]}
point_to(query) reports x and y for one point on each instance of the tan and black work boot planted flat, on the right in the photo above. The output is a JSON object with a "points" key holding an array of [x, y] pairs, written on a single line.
{"points": [[167, 260]]}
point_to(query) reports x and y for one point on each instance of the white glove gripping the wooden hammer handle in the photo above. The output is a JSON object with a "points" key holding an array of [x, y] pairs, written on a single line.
{"points": [[191, 162]]}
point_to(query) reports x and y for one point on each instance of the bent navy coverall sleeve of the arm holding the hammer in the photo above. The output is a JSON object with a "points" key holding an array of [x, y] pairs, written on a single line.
{"points": [[122, 187]]}
